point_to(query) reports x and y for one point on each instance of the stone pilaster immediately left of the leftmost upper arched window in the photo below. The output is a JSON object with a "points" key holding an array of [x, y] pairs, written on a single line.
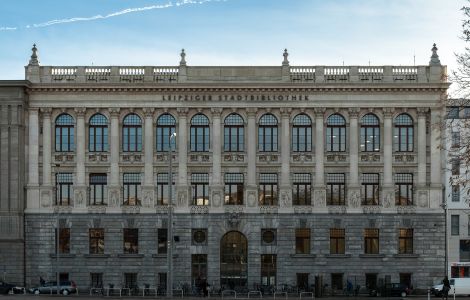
{"points": [[46, 188]]}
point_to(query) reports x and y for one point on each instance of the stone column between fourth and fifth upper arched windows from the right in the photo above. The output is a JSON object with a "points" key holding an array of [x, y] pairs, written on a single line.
{"points": [[285, 187]]}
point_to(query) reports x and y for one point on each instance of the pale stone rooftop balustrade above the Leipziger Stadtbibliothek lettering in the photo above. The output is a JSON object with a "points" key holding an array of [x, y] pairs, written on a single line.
{"points": [[198, 74]]}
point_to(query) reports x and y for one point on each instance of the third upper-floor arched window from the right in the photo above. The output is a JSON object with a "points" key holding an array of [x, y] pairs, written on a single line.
{"points": [[335, 133]]}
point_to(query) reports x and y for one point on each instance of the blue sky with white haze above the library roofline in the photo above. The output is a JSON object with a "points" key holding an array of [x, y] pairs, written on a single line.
{"points": [[231, 32]]}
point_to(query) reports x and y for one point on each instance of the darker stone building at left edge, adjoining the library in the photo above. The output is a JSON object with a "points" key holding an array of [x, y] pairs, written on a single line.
{"points": [[13, 101]]}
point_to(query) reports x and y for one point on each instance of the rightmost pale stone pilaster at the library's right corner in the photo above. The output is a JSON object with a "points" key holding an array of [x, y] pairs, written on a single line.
{"points": [[436, 159]]}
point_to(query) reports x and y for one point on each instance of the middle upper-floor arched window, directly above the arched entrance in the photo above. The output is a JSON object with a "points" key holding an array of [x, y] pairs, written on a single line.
{"points": [[234, 135]]}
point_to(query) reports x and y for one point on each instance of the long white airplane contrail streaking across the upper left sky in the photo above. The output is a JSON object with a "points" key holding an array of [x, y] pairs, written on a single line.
{"points": [[113, 14]]}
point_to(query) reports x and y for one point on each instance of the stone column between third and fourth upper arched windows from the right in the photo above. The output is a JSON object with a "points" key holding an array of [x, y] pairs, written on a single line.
{"points": [[319, 187]]}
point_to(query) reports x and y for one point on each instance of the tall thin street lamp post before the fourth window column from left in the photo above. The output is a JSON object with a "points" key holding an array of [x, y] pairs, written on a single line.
{"points": [[170, 218]]}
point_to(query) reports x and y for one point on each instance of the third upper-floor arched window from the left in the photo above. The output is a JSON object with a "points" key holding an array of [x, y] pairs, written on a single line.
{"points": [[132, 133]]}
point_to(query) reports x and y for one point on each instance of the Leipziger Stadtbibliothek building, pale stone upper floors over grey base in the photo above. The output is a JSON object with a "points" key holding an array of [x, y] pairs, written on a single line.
{"points": [[282, 174]]}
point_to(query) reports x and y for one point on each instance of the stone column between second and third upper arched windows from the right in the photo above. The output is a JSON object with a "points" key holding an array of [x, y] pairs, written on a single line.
{"points": [[354, 192]]}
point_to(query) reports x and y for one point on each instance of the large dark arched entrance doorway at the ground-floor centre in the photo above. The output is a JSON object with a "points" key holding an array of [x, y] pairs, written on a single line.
{"points": [[233, 260]]}
